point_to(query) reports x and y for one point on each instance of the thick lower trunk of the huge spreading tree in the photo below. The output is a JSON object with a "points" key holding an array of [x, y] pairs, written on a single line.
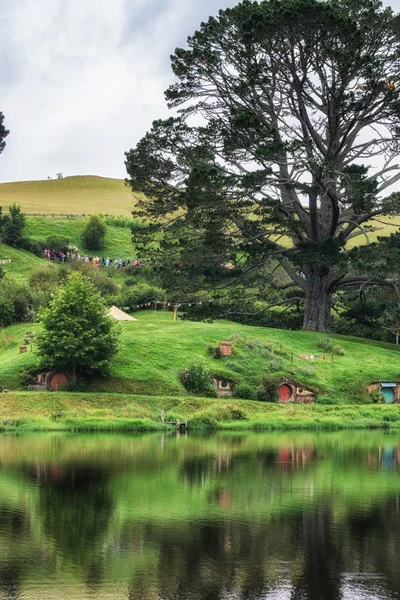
{"points": [[318, 300]]}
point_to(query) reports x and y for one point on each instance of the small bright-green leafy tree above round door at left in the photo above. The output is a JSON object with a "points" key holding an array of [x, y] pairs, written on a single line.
{"points": [[77, 334]]}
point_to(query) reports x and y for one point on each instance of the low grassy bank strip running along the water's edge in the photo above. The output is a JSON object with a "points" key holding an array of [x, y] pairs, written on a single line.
{"points": [[46, 411]]}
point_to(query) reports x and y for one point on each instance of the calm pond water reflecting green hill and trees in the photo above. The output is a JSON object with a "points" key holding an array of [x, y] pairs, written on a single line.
{"points": [[292, 516]]}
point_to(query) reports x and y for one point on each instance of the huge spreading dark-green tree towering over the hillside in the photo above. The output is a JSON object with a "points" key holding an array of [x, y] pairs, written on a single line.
{"points": [[283, 147]]}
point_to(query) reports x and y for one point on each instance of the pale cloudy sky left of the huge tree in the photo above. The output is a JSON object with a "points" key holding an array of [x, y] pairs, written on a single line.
{"points": [[82, 80]]}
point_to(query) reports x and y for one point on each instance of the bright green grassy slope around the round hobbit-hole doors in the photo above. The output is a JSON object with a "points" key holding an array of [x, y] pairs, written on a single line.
{"points": [[156, 351]]}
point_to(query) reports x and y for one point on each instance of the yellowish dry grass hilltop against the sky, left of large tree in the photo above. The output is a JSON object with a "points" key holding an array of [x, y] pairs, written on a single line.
{"points": [[71, 195]]}
